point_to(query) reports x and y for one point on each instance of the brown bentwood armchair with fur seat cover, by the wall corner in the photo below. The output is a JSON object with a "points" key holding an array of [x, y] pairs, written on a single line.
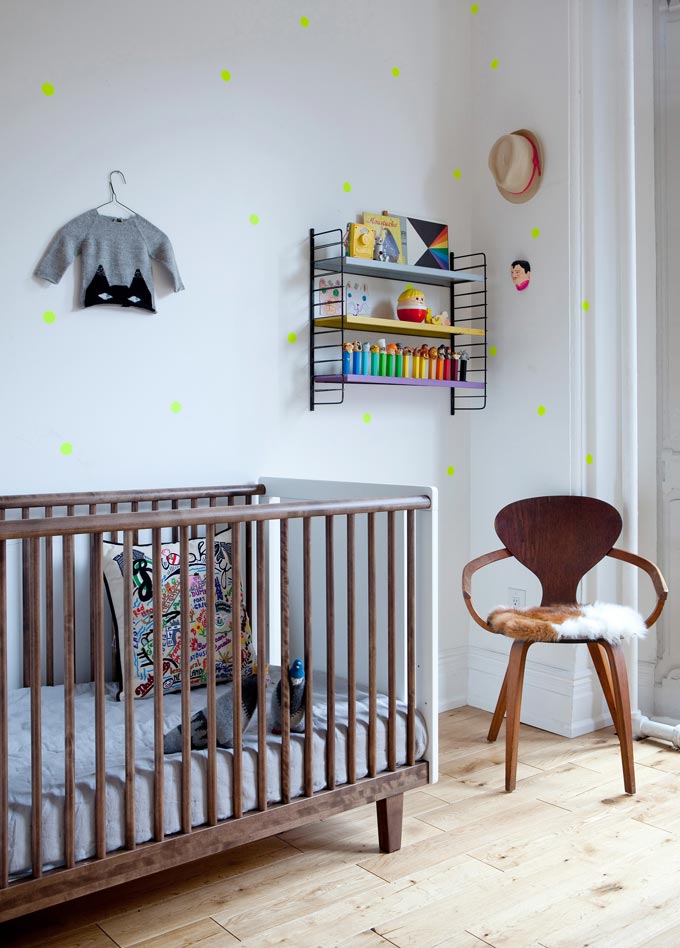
{"points": [[559, 539]]}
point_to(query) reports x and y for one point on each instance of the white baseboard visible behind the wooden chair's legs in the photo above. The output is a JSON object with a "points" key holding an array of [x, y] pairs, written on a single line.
{"points": [[565, 702]]}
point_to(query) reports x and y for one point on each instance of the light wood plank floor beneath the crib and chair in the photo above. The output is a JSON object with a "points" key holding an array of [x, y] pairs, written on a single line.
{"points": [[567, 861]]}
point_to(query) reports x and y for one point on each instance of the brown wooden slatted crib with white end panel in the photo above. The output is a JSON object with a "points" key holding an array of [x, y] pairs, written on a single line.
{"points": [[338, 582]]}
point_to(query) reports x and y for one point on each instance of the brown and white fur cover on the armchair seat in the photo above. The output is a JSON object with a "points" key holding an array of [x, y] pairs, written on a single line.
{"points": [[601, 620]]}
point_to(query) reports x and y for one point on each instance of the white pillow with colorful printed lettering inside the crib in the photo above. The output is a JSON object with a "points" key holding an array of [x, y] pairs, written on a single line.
{"points": [[146, 575]]}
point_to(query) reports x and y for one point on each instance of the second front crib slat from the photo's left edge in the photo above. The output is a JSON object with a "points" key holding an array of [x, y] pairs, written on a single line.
{"points": [[36, 730]]}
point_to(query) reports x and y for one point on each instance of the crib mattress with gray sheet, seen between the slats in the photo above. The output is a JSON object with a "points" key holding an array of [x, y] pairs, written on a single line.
{"points": [[19, 770]]}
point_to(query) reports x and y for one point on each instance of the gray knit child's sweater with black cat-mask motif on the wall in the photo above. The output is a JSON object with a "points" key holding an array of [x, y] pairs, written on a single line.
{"points": [[117, 254]]}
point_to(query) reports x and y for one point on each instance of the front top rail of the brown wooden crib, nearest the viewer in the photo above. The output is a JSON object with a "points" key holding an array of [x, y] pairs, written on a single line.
{"points": [[201, 516]]}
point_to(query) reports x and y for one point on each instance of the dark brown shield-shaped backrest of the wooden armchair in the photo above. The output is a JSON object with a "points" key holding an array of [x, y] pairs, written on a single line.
{"points": [[559, 539]]}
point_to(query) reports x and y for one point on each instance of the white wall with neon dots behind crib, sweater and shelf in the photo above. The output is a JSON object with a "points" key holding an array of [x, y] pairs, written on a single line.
{"points": [[138, 87]]}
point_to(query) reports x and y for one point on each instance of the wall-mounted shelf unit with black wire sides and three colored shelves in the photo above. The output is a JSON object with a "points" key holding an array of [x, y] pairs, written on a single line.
{"points": [[466, 280]]}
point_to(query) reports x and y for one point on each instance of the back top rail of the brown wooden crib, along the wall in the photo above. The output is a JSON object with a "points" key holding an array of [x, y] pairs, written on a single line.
{"points": [[160, 495]]}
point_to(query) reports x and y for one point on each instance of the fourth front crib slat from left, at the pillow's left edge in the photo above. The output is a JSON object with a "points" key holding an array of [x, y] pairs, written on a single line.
{"points": [[99, 698]]}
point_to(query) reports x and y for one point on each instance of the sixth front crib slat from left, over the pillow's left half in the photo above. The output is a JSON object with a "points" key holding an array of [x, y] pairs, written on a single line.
{"points": [[158, 752]]}
